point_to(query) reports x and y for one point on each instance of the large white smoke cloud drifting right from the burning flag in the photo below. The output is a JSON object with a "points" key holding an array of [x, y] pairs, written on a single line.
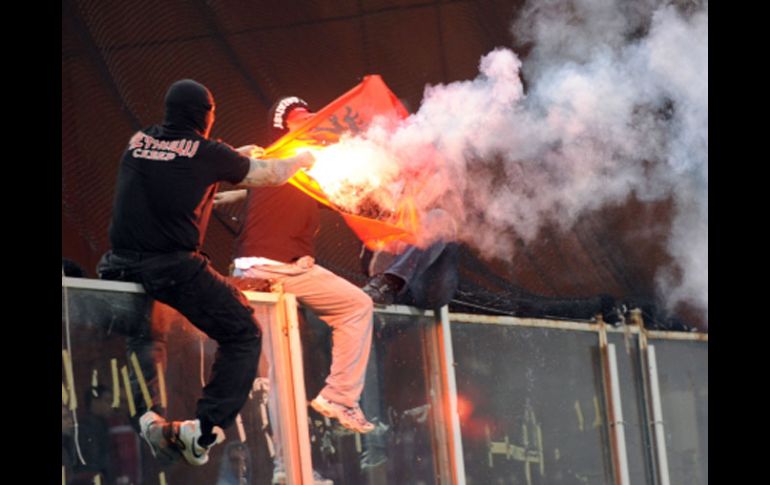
{"points": [[616, 103]]}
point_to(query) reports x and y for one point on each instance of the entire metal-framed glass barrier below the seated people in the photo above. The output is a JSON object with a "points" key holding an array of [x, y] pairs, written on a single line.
{"points": [[480, 400]]}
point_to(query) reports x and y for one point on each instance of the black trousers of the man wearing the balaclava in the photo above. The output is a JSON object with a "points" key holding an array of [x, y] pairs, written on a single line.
{"points": [[186, 282]]}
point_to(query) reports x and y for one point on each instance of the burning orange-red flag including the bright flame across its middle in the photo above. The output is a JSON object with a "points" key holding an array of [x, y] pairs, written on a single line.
{"points": [[355, 181]]}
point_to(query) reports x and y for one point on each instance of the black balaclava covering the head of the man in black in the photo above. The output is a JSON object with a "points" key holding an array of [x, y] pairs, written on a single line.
{"points": [[187, 105]]}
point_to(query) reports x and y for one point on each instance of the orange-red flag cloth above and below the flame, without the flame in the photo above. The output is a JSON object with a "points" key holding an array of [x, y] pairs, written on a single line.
{"points": [[351, 113]]}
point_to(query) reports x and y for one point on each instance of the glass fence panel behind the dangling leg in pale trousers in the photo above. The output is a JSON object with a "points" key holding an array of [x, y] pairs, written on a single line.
{"points": [[396, 399]]}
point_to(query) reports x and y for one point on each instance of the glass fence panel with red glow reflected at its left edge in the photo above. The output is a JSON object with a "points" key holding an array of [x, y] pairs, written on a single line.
{"points": [[531, 405]]}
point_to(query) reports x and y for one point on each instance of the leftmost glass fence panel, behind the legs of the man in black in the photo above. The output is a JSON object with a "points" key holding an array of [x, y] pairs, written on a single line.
{"points": [[104, 443]]}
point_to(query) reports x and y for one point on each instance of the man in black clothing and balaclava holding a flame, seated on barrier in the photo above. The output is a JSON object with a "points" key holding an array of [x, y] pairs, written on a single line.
{"points": [[168, 176]]}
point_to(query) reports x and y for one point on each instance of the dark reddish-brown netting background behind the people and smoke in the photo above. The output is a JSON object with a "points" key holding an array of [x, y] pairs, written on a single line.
{"points": [[118, 58]]}
